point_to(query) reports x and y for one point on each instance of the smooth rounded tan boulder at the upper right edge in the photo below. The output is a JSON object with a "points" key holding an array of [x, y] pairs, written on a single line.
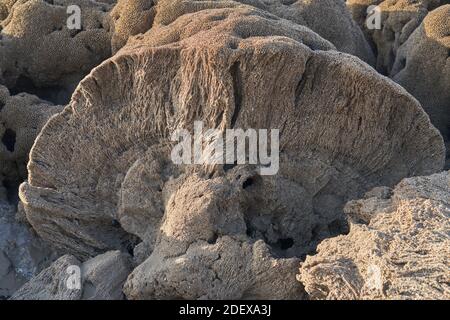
{"points": [[422, 67]]}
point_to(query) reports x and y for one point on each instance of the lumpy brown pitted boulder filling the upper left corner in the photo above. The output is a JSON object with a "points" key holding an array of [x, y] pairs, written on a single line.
{"points": [[41, 55]]}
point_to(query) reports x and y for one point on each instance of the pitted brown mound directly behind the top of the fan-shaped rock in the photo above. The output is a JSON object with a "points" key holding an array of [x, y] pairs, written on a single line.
{"points": [[330, 19]]}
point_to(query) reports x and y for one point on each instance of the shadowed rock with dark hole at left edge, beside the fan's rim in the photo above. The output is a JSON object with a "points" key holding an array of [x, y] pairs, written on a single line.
{"points": [[22, 116]]}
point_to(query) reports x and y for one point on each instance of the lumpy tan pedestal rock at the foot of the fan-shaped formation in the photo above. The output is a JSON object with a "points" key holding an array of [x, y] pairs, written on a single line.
{"points": [[204, 252]]}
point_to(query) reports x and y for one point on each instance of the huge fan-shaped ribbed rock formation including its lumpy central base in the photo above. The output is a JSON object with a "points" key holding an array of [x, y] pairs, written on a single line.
{"points": [[101, 177]]}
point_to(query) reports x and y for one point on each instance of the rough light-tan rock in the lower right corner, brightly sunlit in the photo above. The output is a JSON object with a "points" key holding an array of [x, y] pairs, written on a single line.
{"points": [[398, 247]]}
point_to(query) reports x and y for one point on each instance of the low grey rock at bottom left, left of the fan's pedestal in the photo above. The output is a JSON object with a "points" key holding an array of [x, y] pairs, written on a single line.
{"points": [[100, 278]]}
